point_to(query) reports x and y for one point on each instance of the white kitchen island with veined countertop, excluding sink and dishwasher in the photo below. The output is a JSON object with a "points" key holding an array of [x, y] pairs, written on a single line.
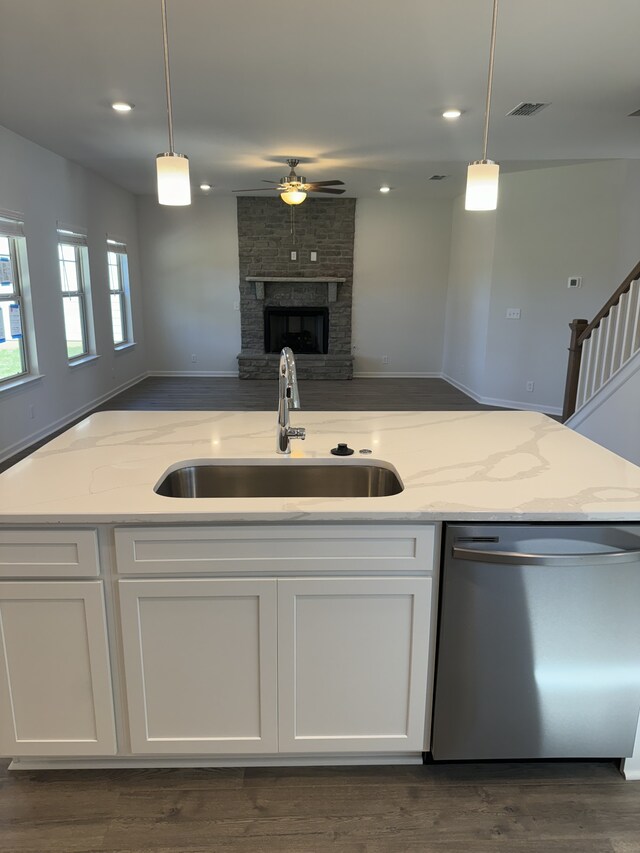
{"points": [[141, 629]]}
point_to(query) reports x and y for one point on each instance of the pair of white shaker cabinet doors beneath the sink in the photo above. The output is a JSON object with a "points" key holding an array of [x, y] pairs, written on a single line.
{"points": [[222, 666]]}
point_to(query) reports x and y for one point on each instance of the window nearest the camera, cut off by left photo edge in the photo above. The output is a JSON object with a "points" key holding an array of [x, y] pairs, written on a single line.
{"points": [[14, 351]]}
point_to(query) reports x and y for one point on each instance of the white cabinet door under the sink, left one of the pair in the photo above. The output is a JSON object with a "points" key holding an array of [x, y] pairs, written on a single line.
{"points": [[200, 664]]}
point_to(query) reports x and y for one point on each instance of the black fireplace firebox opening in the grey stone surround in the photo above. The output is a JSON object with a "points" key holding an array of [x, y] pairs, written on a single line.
{"points": [[305, 330]]}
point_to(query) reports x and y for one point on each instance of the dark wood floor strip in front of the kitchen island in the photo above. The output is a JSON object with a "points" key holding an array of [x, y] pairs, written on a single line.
{"points": [[455, 808]]}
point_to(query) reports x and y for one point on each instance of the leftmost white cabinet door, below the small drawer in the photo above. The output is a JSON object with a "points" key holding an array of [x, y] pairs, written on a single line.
{"points": [[55, 696]]}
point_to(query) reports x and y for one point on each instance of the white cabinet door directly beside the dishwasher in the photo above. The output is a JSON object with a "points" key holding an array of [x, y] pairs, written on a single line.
{"points": [[353, 660]]}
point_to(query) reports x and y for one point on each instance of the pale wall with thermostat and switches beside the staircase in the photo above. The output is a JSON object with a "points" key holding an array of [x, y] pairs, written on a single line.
{"points": [[550, 224]]}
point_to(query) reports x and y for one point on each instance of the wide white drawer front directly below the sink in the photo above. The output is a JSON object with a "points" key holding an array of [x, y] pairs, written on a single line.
{"points": [[276, 550]]}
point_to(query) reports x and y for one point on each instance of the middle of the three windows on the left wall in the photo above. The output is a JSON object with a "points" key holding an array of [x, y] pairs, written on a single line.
{"points": [[74, 280]]}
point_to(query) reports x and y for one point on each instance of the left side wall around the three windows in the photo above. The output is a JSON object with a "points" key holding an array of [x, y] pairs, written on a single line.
{"points": [[46, 188]]}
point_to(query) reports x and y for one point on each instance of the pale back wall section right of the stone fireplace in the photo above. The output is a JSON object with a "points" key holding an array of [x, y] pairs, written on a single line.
{"points": [[401, 256]]}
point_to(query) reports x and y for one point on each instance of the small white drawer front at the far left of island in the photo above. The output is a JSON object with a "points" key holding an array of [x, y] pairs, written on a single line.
{"points": [[48, 553]]}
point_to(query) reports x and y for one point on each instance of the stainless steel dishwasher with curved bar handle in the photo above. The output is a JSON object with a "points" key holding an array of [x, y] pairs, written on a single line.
{"points": [[539, 642]]}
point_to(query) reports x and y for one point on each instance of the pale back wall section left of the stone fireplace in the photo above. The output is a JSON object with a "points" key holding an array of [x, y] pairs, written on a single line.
{"points": [[190, 267]]}
